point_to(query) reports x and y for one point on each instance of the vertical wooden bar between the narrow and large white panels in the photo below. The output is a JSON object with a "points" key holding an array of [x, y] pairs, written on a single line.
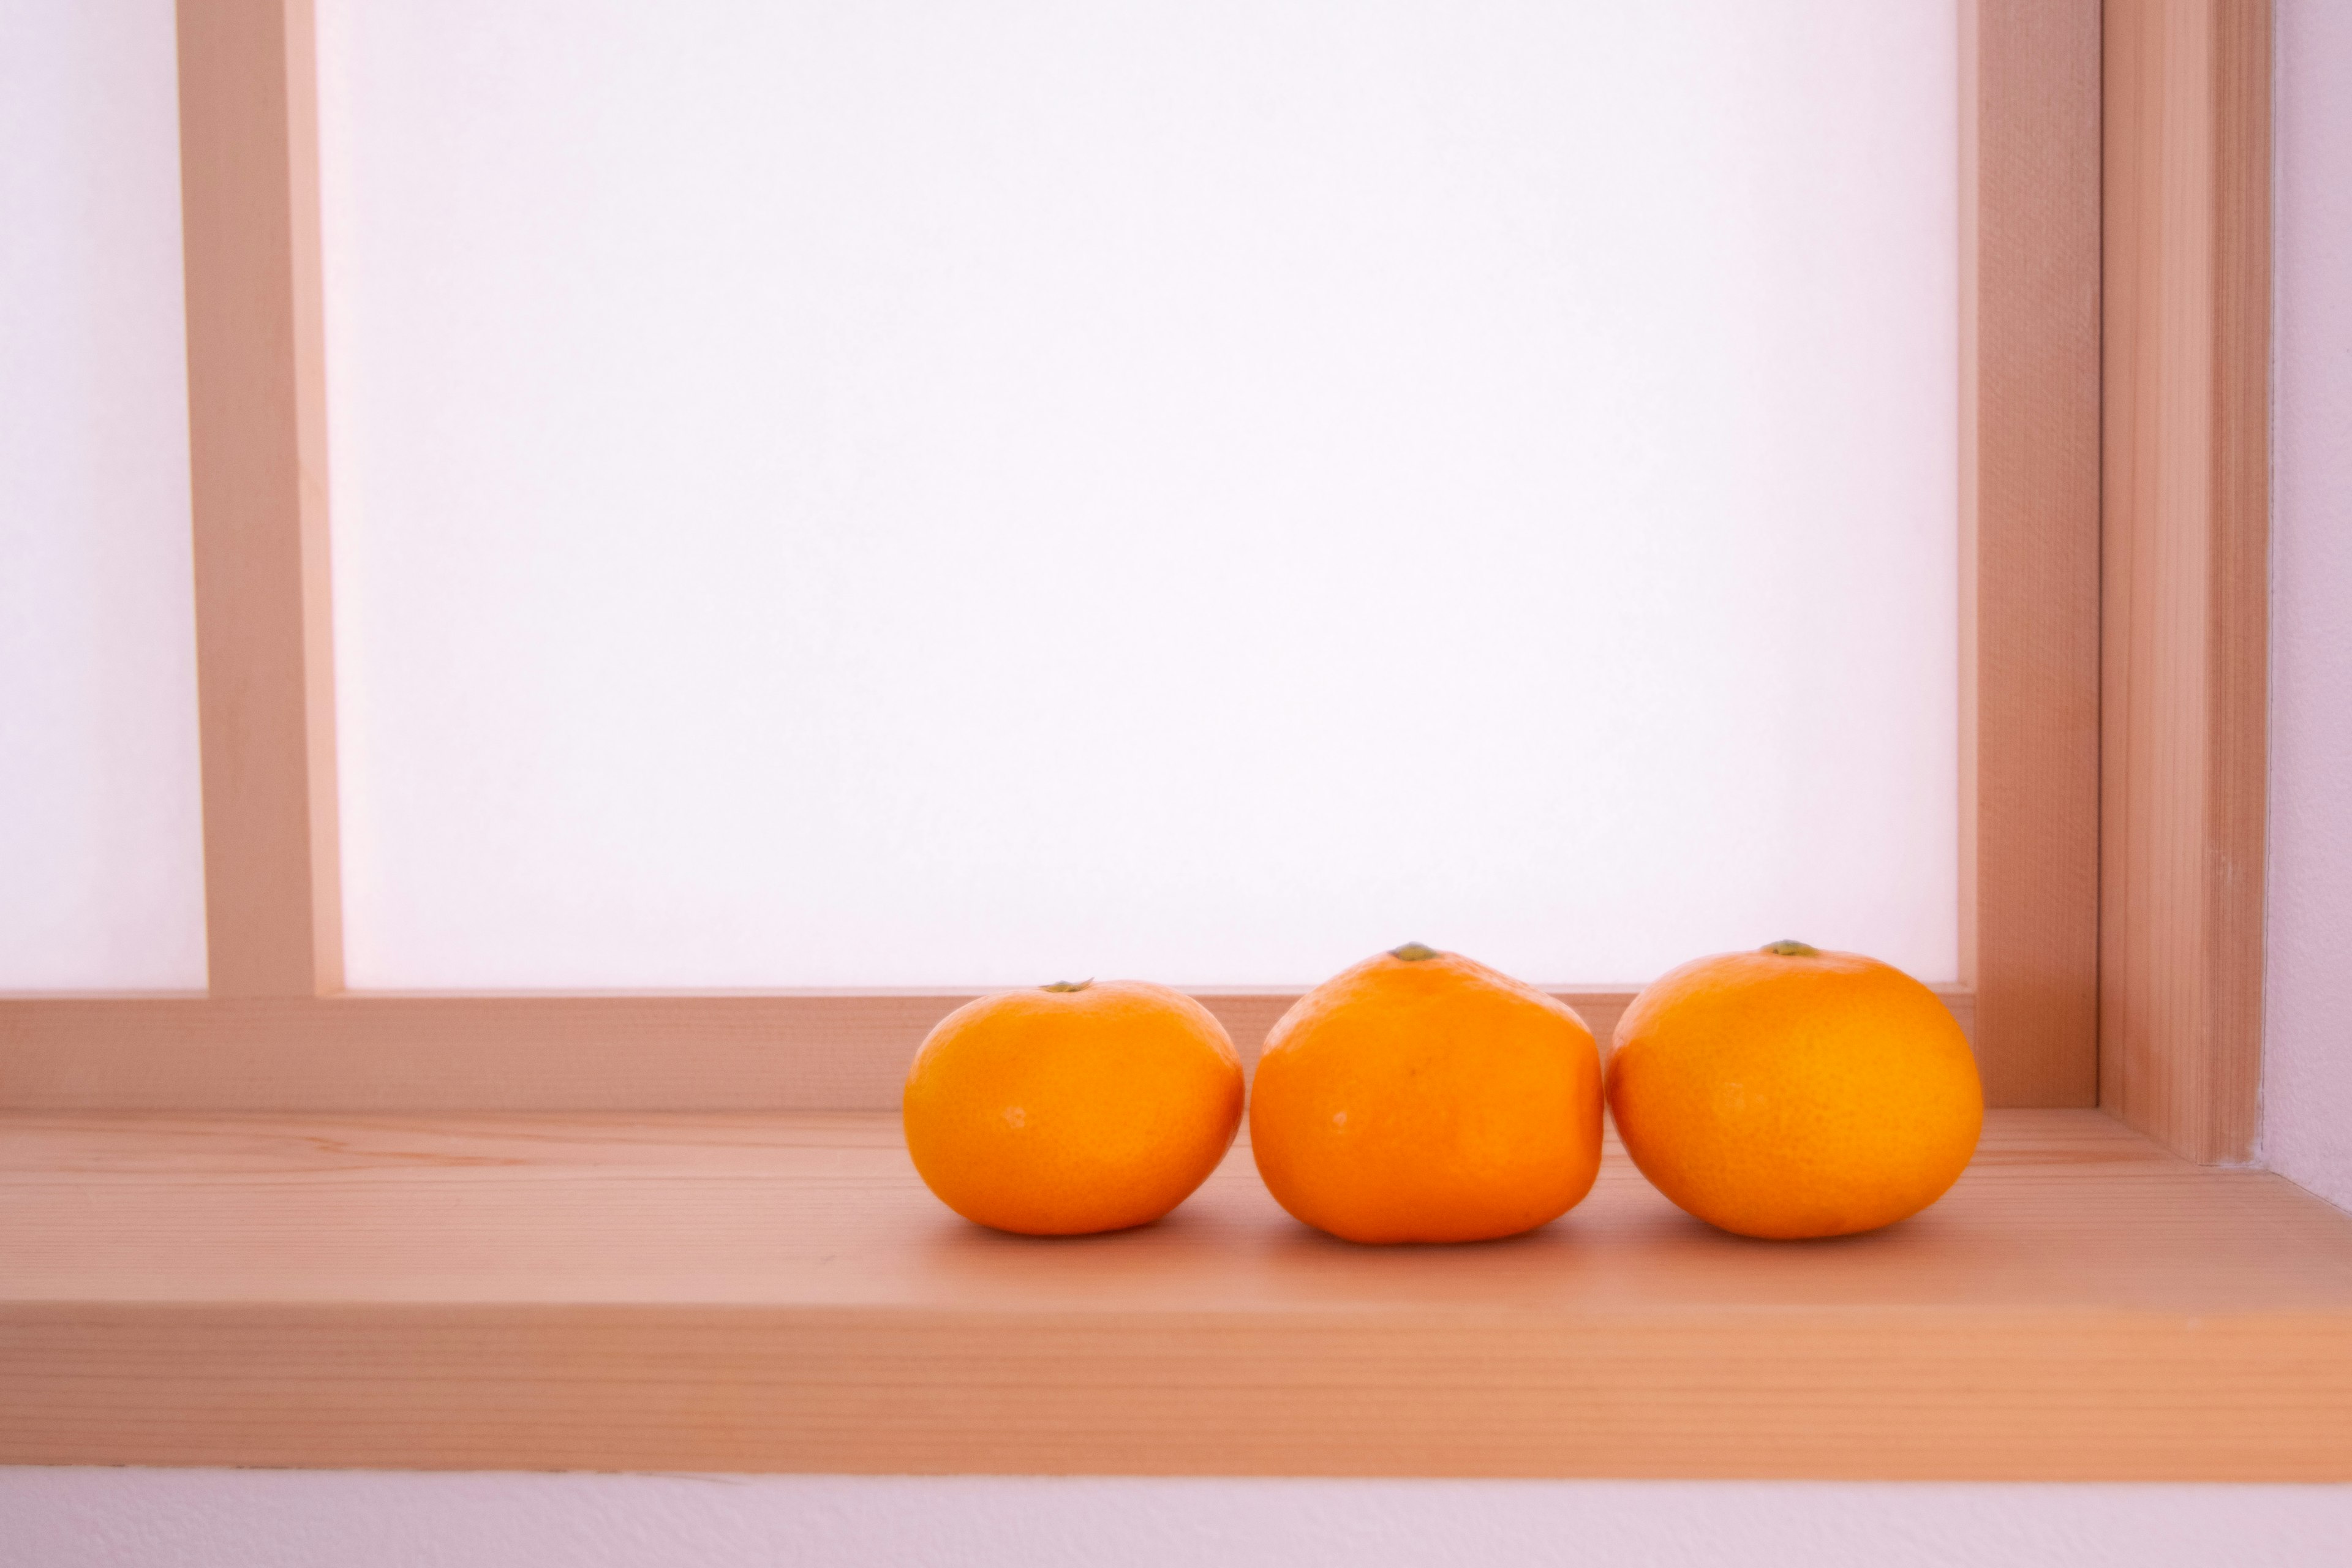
{"points": [[258, 457]]}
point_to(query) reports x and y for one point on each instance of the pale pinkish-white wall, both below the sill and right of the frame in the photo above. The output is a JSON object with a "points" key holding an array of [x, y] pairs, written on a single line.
{"points": [[283, 1520]]}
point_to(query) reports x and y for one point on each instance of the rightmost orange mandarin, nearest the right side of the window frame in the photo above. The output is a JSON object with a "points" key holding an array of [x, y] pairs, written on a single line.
{"points": [[1793, 1092]]}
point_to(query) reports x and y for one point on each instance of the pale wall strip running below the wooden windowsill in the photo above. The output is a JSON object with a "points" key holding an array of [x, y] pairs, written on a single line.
{"points": [[295, 1520]]}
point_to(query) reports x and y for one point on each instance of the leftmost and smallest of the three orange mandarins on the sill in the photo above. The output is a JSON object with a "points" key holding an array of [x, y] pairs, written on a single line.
{"points": [[1071, 1108]]}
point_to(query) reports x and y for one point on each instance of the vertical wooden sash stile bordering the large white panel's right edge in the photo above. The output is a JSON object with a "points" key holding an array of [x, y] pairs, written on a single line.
{"points": [[2029, 471]]}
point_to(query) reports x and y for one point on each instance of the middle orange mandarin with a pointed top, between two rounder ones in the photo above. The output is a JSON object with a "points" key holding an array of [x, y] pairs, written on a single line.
{"points": [[1426, 1099]]}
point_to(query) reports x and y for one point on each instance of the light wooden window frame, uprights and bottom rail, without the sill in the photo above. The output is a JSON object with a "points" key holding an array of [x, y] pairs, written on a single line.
{"points": [[2113, 436]]}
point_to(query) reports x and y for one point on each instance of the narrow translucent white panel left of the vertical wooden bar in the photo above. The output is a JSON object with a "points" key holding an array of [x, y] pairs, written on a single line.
{"points": [[102, 883]]}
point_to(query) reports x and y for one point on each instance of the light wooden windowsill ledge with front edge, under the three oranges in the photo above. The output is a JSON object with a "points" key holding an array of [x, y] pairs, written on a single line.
{"points": [[782, 1294]]}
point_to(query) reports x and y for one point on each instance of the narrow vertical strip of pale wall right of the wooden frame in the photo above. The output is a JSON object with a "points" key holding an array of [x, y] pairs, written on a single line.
{"points": [[2308, 996]]}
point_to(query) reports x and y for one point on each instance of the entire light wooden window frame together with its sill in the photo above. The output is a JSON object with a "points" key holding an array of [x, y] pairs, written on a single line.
{"points": [[403, 1268]]}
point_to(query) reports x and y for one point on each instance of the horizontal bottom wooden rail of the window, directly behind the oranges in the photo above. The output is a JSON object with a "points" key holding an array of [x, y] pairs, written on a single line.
{"points": [[622, 1052]]}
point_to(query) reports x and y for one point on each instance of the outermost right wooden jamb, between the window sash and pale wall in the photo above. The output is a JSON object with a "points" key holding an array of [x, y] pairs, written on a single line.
{"points": [[2186, 568]]}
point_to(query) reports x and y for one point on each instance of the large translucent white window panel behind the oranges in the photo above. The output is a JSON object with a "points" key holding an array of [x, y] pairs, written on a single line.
{"points": [[921, 492]]}
